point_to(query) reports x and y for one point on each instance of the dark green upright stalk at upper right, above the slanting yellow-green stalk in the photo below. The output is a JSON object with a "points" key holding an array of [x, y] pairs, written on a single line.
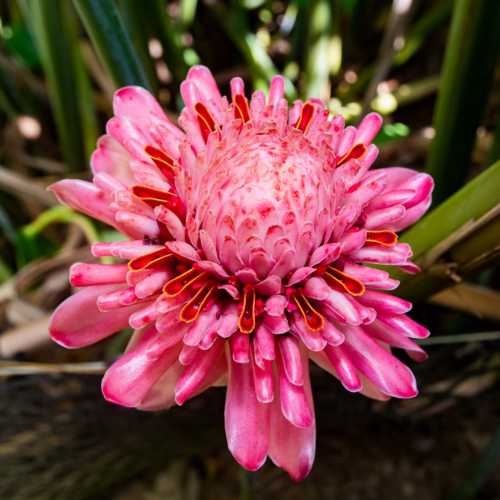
{"points": [[467, 74]]}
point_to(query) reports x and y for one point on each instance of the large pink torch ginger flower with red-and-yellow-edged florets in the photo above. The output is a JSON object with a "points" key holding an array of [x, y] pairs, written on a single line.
{"points": [[249, 234]]}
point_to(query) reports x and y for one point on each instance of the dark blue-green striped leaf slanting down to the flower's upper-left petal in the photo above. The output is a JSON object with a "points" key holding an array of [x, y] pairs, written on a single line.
{"points": [[112, 42]]}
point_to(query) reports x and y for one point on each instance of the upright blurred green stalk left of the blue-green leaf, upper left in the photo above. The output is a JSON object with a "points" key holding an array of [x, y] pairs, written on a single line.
{"points": [[55, 30]]}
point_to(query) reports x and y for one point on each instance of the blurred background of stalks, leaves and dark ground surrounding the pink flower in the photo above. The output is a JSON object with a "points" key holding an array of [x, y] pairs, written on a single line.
{"points": [[429, 66]]}
